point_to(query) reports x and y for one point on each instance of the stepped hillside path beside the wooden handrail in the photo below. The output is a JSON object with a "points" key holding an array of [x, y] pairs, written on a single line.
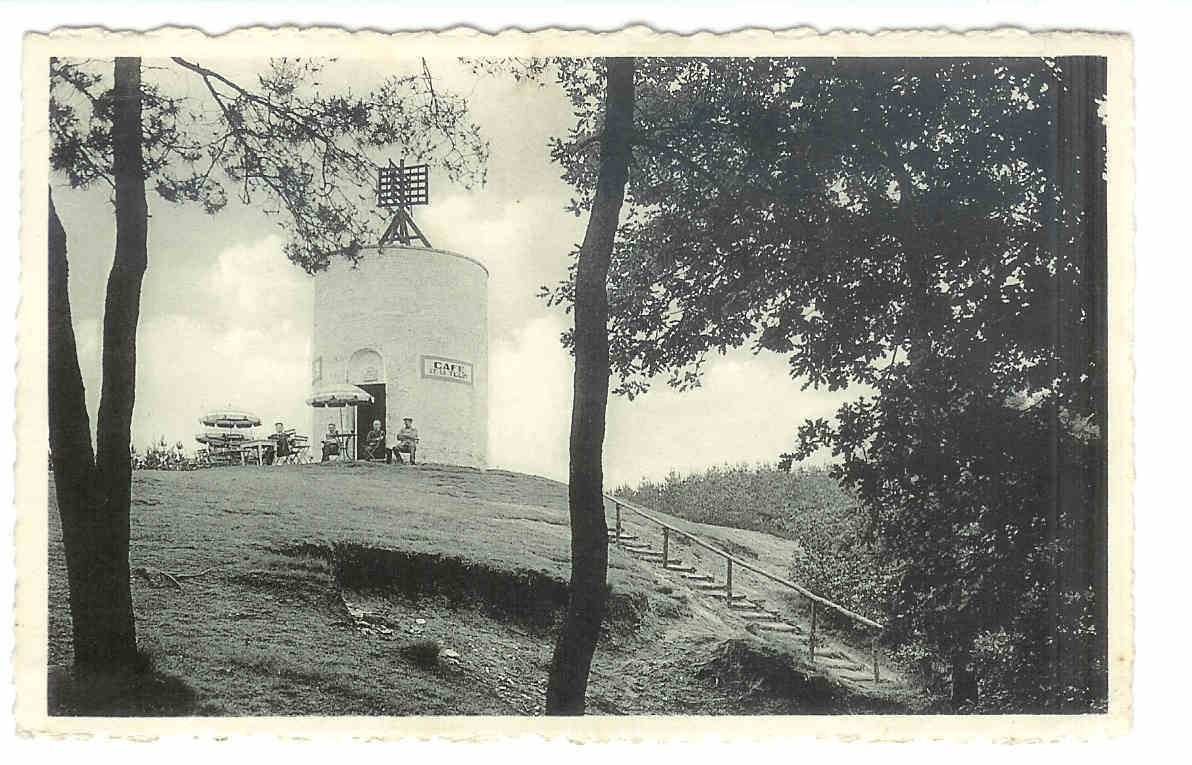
{"points": [[754, 612]]}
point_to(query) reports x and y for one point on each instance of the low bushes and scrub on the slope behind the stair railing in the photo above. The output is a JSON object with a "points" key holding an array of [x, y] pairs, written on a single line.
{"points": [[837, 557]]}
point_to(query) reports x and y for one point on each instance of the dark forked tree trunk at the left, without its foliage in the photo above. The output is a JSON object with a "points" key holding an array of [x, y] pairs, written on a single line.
{"points": [[95, 494]]}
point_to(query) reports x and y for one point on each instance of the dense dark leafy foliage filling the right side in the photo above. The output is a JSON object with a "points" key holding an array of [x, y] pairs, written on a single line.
{"points": [[924, 228]]}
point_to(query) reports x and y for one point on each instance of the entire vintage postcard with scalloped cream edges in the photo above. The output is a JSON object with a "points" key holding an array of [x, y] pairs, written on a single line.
{"points": [[613, 387]]}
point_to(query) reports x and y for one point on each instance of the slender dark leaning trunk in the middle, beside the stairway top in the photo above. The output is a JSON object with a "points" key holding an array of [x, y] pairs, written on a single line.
{"points": [[576, 644]]}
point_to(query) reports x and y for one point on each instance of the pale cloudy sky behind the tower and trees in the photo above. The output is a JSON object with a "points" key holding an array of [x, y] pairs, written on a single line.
{"points": [[226, 320]]}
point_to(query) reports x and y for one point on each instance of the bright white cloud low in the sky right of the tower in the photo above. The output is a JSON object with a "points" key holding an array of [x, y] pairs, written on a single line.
{"points": [[748, 411]]}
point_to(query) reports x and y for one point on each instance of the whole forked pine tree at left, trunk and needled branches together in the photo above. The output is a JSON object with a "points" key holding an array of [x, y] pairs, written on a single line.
{"points": [[283, 140]]}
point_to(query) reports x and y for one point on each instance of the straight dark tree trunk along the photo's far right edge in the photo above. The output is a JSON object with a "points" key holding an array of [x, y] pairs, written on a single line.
{"points": [[1082, 527]]}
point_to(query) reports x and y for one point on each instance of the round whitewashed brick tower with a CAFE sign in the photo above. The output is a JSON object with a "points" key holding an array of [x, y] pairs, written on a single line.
{"points": [[408, 325]]}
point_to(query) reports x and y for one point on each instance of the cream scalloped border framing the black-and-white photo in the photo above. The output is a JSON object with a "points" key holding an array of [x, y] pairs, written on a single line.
{"points": [[32, 550]]}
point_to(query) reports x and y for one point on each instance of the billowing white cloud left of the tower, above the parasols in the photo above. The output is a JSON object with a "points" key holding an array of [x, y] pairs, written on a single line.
{"points": [[243, 338]]}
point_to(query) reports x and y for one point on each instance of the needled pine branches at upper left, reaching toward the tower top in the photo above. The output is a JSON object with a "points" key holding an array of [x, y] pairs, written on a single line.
{"points": [[284, 141]]}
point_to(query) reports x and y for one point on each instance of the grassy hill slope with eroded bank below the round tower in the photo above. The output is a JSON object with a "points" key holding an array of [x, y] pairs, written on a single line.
{"points": [[375, 590]]}
